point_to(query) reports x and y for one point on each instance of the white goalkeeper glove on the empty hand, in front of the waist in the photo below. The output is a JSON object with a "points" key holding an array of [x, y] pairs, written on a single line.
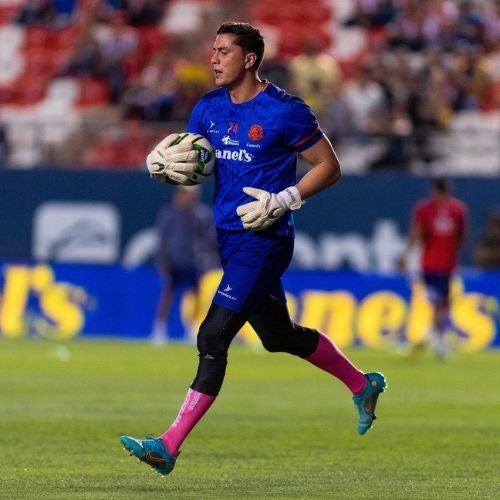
{"points": [[269, 207]]}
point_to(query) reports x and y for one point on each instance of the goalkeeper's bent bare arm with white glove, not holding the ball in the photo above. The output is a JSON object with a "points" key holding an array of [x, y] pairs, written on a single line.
{"points": [[268, 207]]}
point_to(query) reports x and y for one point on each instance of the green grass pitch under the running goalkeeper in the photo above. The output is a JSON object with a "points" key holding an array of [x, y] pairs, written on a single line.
{"points": [[281, 428]]}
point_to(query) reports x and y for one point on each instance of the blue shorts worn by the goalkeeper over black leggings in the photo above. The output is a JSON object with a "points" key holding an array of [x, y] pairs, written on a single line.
{"points": [[253, 264]]}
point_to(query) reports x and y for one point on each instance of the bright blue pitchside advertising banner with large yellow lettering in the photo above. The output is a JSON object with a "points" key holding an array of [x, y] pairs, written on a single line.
{"points": [[65, 301]]}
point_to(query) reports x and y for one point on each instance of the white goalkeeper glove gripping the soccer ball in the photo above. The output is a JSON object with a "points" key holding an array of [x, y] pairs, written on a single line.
{"points": [[170, 163]]}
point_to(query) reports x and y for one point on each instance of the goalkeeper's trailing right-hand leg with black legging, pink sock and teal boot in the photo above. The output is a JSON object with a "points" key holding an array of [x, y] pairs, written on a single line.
{"points": [[279, 333]]}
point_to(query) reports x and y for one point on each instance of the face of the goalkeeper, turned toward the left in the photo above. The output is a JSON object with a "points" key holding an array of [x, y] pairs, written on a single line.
{"points": [[228, 61]]}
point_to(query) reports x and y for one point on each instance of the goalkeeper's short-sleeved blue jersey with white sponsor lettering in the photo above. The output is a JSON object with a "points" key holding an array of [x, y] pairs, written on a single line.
{"points": [[257, 143]]}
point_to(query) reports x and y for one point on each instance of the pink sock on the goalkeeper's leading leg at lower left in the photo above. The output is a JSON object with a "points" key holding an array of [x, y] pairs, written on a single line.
{"points": [[194, 407]]}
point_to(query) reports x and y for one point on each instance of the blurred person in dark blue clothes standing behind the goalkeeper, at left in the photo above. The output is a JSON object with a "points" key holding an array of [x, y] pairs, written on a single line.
{"points": [[186, 249]]}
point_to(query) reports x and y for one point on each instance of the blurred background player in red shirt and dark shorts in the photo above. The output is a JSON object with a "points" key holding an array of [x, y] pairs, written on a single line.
{"points": [[439, 226]]}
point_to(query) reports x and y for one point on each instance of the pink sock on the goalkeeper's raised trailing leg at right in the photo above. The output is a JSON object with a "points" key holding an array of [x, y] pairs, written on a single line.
{"points": [[328, 357]]}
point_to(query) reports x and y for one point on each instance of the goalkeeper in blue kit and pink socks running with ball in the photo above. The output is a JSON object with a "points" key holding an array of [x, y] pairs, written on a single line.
{"points": [[258, 131]]}
